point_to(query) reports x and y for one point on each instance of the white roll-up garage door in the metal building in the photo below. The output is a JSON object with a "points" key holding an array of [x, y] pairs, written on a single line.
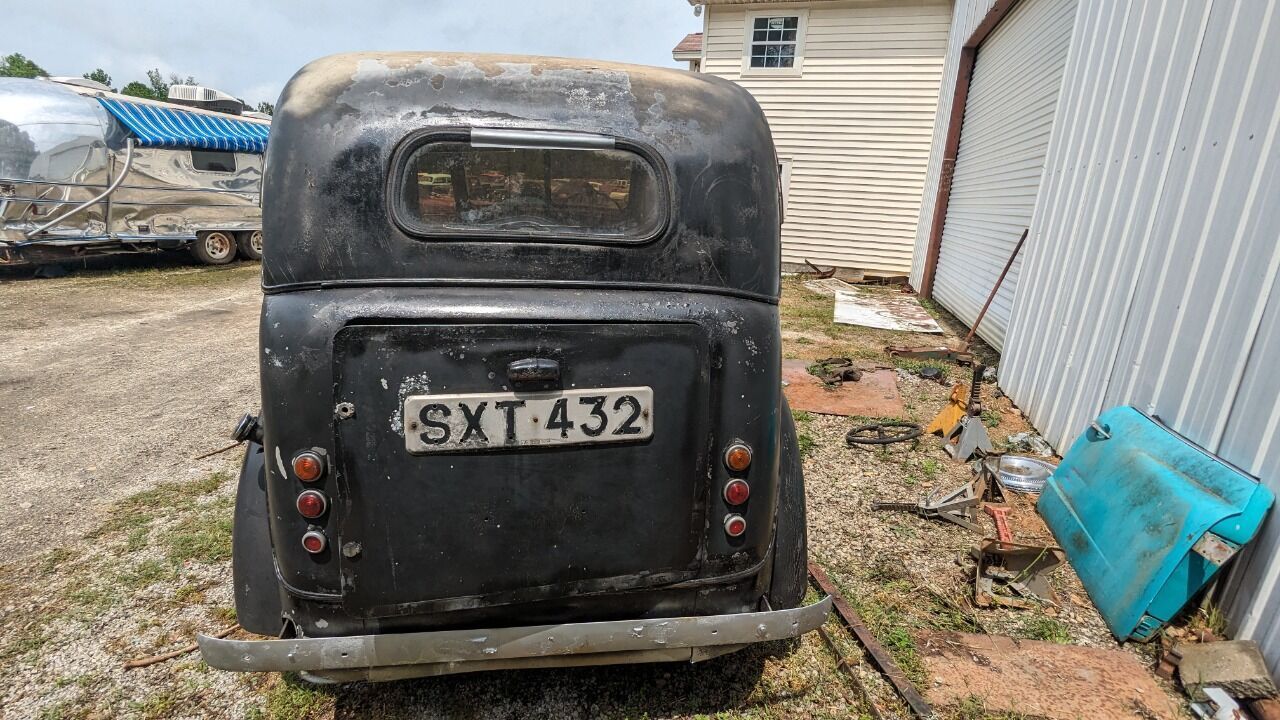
{"points": [[1004, 136]]}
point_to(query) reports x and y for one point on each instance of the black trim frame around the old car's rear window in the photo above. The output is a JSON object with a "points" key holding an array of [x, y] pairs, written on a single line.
{"points": [[404, 220]]}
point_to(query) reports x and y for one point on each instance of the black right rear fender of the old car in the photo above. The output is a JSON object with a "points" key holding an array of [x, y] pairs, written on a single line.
{"points": [[790, 531]]}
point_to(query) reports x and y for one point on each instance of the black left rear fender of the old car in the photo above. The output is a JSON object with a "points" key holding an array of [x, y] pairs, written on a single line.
{"points": [[257, 590]]}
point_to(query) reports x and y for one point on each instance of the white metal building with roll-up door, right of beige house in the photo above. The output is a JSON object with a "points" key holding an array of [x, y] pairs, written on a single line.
{"points": [[1150, 183]]}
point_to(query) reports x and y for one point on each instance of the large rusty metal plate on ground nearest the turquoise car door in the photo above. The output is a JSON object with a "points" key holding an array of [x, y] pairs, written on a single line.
{"points": [[1041, 680]]}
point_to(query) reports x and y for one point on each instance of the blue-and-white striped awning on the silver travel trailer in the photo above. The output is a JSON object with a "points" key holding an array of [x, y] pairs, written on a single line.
{"points": [[172, 127]]}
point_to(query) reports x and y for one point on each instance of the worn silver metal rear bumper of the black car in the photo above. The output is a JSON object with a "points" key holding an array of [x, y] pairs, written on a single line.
{"points": [[410, 655]]}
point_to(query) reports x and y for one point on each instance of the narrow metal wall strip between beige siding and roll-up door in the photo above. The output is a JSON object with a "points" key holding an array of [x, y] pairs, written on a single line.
{"points": [[966, 19]]}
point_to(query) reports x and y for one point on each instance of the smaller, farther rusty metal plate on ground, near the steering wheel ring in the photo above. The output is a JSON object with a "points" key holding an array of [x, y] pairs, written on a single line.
{"points": [[874, 397]]}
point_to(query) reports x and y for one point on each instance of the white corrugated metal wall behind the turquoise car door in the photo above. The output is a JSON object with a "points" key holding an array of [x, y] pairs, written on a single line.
{"points": [[1151, 277]]}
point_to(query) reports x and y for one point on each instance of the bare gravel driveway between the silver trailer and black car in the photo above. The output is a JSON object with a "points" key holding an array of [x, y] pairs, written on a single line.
{"points": [[113, 381]]}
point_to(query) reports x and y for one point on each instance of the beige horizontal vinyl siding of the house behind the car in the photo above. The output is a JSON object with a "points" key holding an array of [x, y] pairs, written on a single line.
{"points": [[857, 122]]}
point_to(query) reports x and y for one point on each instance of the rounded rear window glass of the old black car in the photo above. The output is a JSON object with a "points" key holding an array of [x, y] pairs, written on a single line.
{"points": [[456, 189]]}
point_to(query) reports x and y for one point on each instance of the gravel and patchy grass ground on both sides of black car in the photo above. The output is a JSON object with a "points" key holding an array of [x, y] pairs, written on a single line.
{"points": [[115, 380]]}
